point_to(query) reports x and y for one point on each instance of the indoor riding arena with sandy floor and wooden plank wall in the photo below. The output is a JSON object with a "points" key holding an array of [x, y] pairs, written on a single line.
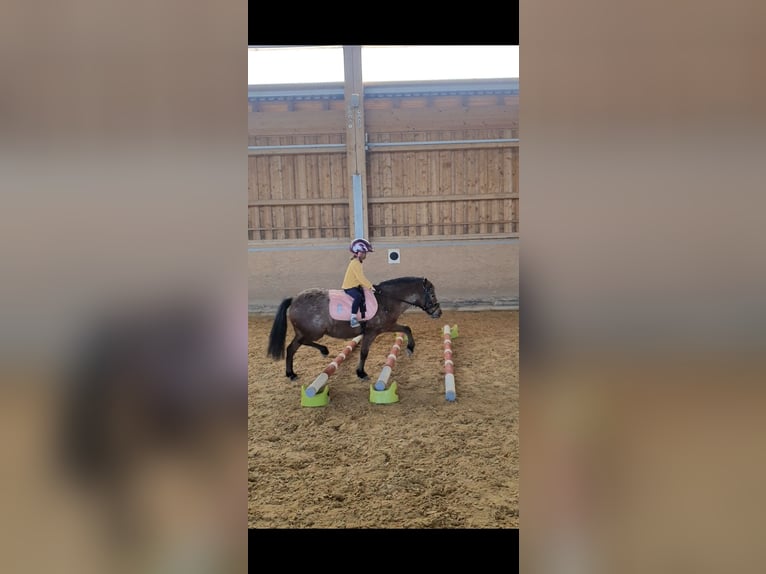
{"points": [[428, 173]]}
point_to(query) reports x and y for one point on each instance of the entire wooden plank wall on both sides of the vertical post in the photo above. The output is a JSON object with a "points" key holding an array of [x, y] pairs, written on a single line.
{"points": [[448, 190]]}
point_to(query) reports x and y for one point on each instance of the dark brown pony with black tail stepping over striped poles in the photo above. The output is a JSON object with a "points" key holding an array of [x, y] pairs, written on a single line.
{"points": [[308, 312]]}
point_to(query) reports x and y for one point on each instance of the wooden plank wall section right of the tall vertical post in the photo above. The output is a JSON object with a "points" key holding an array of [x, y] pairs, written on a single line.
{"points": [[448, 190]]}
